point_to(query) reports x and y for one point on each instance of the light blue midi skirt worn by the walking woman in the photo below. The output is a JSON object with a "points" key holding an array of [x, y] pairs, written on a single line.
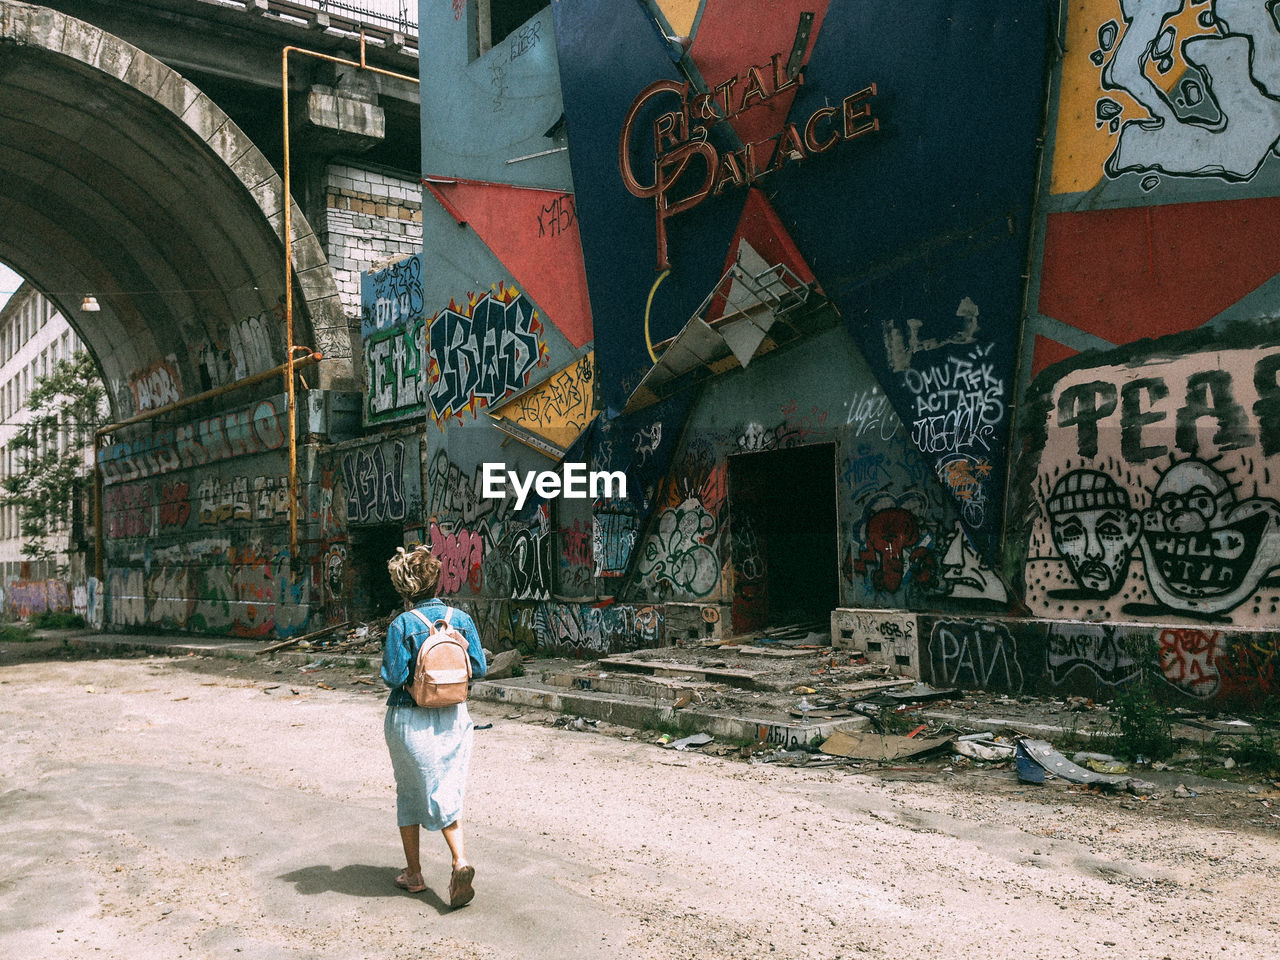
{"points": [[431, 751]]}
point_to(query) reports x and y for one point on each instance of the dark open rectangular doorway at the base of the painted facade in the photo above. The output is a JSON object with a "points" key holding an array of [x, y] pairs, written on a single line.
{"points": [[785, 541]]}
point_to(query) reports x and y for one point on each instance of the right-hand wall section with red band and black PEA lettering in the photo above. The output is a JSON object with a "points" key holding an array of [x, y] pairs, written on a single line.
{"points": [[1148, 490]]}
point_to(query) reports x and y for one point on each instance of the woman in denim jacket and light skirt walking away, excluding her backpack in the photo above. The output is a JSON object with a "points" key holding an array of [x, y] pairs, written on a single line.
{"points": [[431, 747]]}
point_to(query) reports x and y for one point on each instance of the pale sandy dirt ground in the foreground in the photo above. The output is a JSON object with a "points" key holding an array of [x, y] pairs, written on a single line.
{"points": [[191, 807]]}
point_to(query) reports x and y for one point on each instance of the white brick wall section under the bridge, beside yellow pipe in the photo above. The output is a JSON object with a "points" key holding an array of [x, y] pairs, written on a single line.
{"points": [[371, 217]]}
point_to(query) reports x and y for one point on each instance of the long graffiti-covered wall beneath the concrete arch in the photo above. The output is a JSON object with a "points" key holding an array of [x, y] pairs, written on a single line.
{"points": [[196, 523]]}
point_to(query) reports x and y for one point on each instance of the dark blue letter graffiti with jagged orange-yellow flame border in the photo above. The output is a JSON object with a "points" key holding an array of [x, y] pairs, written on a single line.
{"points": [[482, 353]]}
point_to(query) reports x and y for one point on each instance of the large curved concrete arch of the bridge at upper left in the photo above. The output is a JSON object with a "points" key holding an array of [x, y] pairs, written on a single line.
{"points": [[124, 181]]}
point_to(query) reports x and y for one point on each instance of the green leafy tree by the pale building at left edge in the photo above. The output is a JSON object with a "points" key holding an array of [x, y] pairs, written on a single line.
{"points": [[52, 476]]}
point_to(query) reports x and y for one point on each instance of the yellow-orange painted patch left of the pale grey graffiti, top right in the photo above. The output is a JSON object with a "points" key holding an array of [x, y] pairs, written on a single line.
{"points": [[1082, 147]]}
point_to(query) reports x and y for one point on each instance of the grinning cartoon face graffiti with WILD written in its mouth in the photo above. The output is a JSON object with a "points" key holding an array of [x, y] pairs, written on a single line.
{"points": [[1205, 550]]}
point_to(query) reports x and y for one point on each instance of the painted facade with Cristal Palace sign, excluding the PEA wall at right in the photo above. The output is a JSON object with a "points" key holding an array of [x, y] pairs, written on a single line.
{"points": [[792, 138]]}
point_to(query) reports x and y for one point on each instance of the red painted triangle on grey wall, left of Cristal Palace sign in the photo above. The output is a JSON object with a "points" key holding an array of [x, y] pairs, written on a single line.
{"points": [[534, 234]]}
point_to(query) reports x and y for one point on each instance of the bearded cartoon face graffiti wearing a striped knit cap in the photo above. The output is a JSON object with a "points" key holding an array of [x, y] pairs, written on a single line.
{"points": [[1094, 529]]}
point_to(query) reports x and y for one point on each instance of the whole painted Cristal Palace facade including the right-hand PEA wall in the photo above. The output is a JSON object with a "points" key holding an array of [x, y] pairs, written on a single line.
{"points": [[991, 284]]}
